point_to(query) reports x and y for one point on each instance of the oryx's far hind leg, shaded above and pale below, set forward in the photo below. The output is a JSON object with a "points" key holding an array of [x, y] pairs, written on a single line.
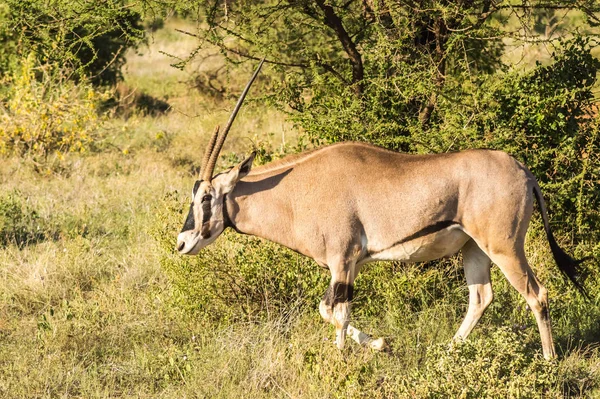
{"points": [[477, 272]]}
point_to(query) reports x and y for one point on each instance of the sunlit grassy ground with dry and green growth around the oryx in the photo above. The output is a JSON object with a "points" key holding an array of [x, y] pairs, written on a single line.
{"points": [[86, 310]]}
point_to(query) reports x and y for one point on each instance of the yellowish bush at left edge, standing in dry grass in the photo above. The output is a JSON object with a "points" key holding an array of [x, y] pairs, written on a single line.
{"points": [[47, 115]]}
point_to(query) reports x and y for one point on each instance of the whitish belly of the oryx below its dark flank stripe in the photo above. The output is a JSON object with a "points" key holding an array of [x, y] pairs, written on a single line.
{"points": [[437, 245]]}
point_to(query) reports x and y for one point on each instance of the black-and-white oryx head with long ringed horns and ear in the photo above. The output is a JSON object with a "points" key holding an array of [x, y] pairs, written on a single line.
{"points": [[206, 218]]}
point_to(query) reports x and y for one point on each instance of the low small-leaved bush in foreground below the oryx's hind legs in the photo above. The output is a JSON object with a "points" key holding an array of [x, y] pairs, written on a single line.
{"points": [[497, 366]]}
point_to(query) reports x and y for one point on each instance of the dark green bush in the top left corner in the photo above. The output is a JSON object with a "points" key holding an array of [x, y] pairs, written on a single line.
{"points": [[87, 37]]}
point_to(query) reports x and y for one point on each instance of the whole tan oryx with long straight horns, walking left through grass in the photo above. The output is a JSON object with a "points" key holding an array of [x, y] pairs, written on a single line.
{"points": [[348, 204]]}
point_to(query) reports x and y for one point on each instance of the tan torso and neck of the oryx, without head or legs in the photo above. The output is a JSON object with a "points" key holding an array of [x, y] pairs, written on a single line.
{"points": [[361, 203]]}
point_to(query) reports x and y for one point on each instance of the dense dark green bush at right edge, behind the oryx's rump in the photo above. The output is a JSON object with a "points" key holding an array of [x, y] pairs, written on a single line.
{"points": [[546, 120]]}
